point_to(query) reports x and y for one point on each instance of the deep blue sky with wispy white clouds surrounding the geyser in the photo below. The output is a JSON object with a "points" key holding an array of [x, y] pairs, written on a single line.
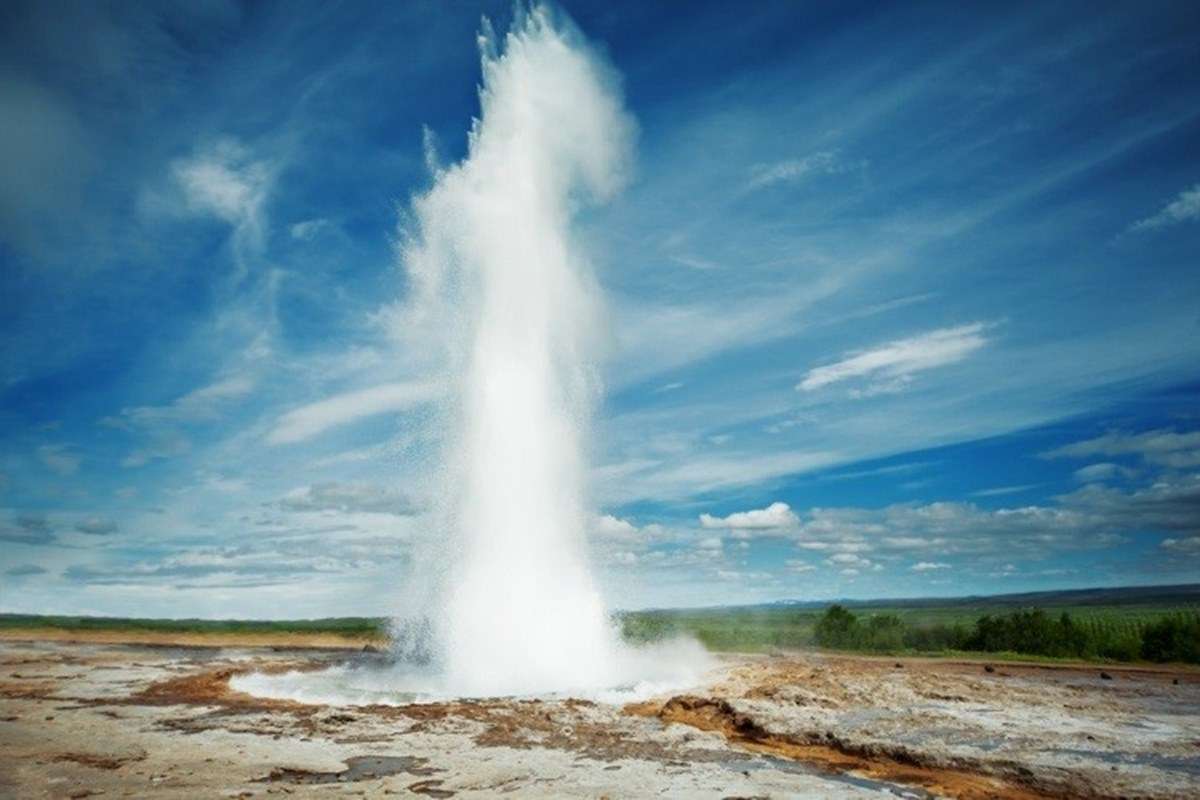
{"points": [[903, 302]]}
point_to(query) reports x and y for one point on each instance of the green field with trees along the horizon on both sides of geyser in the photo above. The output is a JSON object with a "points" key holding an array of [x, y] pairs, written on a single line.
{"points": [[1156, 624]]}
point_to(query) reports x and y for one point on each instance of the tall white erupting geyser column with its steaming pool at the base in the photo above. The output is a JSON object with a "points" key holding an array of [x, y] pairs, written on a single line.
{"points": [[508, 300]]}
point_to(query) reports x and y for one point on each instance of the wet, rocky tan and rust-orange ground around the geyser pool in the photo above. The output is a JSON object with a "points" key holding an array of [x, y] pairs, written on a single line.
{"points": [[99, 719]]}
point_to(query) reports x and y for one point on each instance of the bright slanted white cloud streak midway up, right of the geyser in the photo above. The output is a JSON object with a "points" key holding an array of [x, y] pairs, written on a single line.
{"points": [[891, 366]]}
